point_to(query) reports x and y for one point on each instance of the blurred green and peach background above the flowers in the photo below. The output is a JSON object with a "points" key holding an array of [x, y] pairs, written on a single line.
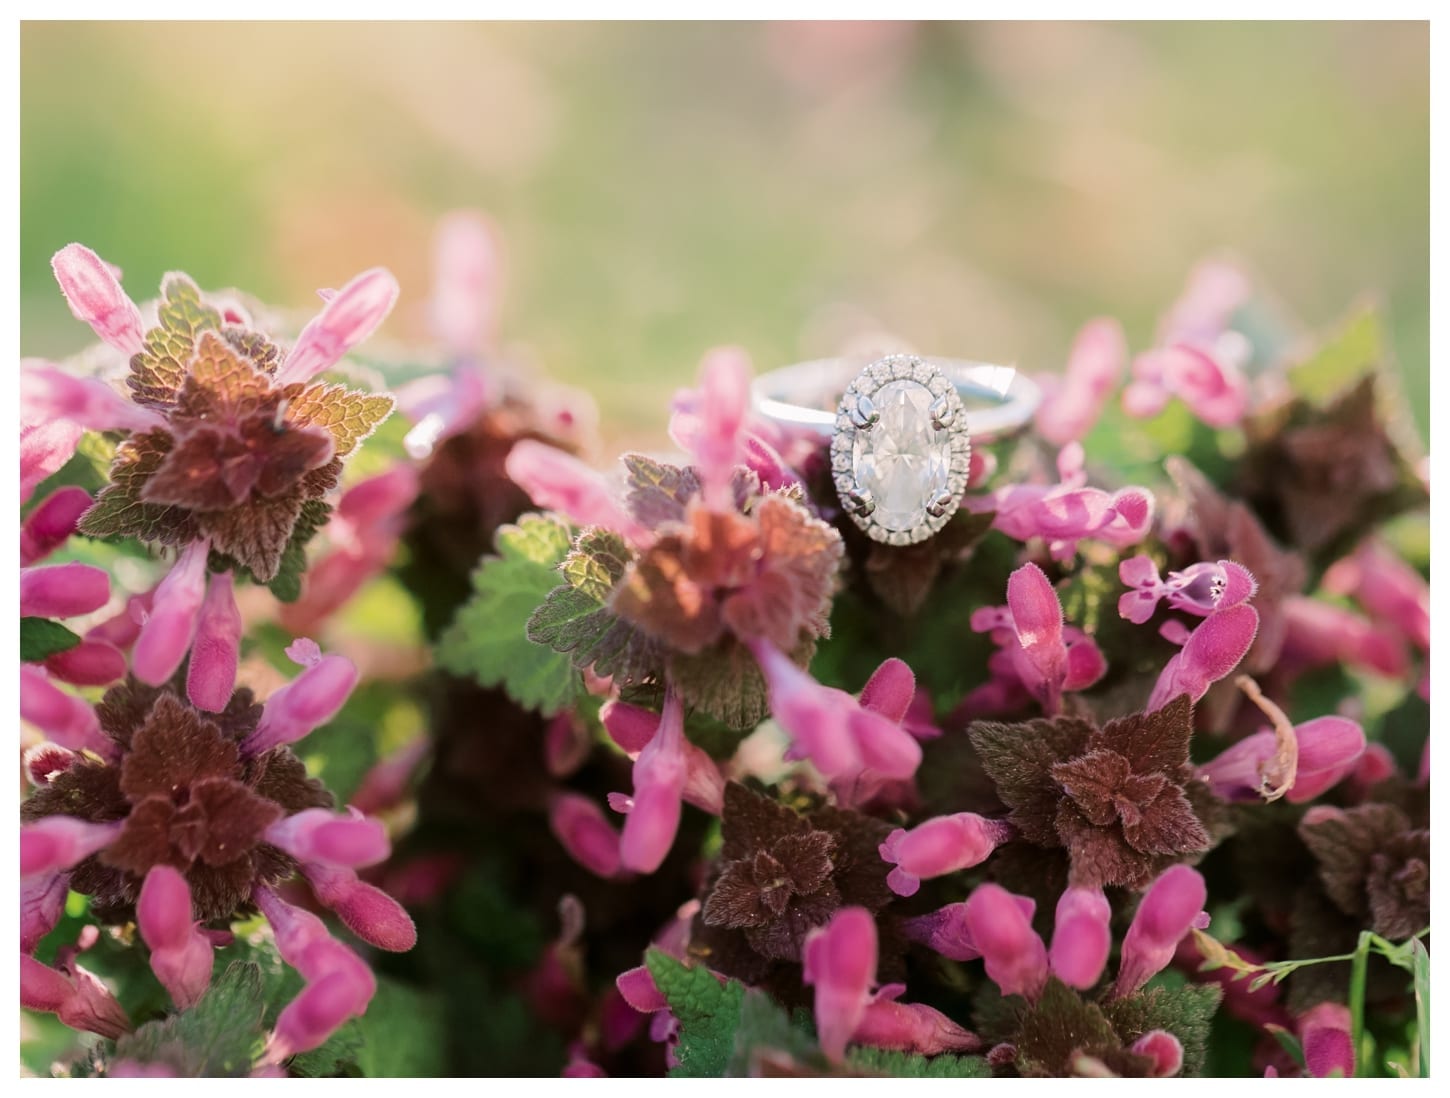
{"points": [[977, 189]]}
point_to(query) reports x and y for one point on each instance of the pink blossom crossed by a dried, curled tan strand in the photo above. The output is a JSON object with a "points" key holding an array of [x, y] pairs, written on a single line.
{"points": [[1330, 748]]}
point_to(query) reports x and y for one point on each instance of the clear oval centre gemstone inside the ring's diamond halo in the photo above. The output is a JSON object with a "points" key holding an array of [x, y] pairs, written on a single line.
{"points": [[903, 461]]}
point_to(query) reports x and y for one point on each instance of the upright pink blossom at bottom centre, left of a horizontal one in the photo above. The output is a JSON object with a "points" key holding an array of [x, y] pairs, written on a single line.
{"points": [[840, 964]]}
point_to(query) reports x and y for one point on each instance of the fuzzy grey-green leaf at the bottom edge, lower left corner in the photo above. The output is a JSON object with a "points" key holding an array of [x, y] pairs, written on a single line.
{"points": [[218, 1038]]}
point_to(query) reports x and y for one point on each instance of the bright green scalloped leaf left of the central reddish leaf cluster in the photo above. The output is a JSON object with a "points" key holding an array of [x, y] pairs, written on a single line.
{"points": [[488, 639]]}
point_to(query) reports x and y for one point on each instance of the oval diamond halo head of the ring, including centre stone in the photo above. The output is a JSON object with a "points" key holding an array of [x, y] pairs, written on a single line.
{"points": [[901, 450]]}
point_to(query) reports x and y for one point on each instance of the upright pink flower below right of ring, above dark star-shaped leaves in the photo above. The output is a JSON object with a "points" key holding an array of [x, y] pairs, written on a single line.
{"points": [[1042, 653]]}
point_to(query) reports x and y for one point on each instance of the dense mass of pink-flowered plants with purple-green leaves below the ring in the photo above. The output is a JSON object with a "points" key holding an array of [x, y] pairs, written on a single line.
{"points": [[1126, 772]]}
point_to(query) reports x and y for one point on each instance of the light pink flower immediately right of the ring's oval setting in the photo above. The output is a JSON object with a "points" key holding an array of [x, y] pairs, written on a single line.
{"points": [[1068, 513]]}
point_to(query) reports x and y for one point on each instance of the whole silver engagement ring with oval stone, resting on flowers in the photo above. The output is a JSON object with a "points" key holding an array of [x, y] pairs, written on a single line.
{"points": [[901, 433]]}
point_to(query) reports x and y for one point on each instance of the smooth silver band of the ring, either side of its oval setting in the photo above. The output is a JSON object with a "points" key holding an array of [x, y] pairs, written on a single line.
{"points": [[805, 395]]}
